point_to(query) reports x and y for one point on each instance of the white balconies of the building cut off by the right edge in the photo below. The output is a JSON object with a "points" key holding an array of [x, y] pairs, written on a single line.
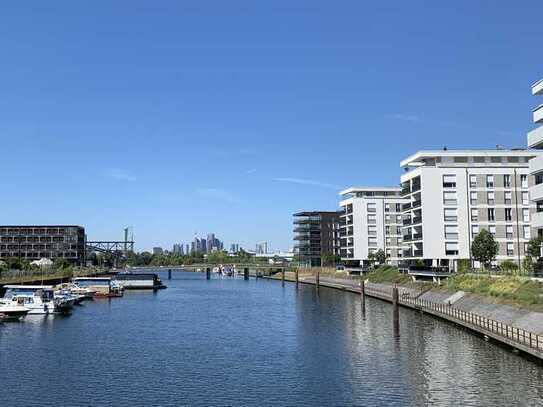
{"points": [[535, 140]]}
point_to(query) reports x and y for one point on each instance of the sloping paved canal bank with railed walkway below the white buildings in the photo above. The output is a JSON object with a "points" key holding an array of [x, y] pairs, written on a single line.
{"points": [[458, 308]]}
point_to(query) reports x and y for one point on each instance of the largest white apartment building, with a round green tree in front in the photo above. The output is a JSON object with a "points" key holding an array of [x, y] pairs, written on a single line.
{"points": [[453, 195]]}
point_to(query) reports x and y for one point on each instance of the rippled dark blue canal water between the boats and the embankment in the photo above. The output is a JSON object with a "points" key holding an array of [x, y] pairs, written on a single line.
{"points": [[228, 342]]}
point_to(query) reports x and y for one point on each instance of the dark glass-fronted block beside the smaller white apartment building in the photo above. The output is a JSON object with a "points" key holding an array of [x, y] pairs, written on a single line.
{"points": [[315, 235]]}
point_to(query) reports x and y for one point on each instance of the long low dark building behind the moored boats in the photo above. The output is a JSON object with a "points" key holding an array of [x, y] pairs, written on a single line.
{"points": [[36, 242]]}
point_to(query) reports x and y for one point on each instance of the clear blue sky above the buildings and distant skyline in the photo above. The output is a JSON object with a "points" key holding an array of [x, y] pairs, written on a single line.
{"points": [[195, 116]]}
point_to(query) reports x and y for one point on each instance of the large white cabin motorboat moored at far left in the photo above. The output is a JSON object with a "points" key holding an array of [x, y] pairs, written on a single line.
{"points": [[39, 299]]}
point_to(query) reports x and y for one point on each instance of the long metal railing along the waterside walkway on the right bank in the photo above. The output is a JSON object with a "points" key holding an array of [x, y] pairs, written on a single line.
{"points": [[498, 328]]}
